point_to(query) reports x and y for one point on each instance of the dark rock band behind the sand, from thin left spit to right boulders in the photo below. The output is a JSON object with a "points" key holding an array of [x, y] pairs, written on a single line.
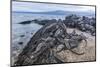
{"points": [[83, 23]]}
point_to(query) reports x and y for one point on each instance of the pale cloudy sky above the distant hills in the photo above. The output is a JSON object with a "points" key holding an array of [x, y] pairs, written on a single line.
{"points": [[41, 7]]}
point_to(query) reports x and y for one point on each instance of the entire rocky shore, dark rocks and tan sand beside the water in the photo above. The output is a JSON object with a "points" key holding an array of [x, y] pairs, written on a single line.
{"points": [[45, 35]]}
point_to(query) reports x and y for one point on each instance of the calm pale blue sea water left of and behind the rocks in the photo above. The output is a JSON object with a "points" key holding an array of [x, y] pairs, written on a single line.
{"points": [[20, 29]]}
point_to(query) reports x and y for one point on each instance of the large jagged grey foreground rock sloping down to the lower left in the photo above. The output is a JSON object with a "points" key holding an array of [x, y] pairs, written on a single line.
{"points": [[40, 48]]}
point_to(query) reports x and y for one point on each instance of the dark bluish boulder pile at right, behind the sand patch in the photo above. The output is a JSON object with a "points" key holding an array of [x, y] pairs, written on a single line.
{"points": [[82, 23]]}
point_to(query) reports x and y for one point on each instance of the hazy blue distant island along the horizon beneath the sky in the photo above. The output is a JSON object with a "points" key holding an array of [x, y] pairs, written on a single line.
{"points": [[61, 12]]}
